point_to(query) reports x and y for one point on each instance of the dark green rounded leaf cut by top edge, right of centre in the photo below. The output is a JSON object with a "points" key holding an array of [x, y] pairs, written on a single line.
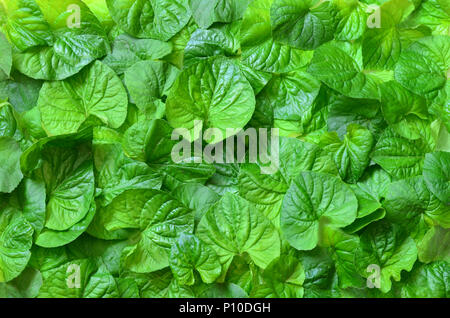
{"points": [[304, 25]]}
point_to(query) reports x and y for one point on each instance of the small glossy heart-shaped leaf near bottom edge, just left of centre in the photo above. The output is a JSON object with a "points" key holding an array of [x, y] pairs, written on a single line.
{"points": [[188, 253]]}
